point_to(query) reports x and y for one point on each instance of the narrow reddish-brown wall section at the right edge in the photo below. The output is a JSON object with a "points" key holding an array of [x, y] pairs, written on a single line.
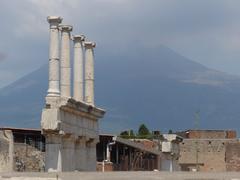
{"points": [[233, 156]]}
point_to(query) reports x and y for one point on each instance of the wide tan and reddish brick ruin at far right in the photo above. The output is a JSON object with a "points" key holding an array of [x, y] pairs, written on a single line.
{"points": [[209, 150]]}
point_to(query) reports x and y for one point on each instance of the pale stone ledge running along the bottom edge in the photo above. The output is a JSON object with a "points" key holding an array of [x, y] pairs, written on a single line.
{"points": [[122, 176]]}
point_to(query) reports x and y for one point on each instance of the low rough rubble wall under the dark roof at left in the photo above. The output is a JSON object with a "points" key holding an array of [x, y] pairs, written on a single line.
{"points": [[27, 158]]}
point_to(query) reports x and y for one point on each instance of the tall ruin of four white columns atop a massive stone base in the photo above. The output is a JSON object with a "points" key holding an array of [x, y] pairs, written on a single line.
{"points": [[70, 125]]}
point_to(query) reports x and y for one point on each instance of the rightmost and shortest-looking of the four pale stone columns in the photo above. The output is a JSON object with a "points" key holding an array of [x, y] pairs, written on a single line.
{"points": [[89, 73]]}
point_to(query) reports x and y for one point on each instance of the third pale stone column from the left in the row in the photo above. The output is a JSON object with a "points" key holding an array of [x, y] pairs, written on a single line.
{"points": [[78, 67]]}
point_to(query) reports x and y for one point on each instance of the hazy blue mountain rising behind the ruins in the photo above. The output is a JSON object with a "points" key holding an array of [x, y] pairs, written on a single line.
{"points": [[155, 86]]}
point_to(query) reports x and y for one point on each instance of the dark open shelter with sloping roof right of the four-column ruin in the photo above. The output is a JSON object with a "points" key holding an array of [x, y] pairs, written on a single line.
{"points": [[118, 154]]}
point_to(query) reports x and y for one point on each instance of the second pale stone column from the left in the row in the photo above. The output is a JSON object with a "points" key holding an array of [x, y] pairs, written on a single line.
{"points": [[65, 61]]}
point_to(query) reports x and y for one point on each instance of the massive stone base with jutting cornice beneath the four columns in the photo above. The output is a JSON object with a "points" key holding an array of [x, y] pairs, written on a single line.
{"points": [[71, 131]]}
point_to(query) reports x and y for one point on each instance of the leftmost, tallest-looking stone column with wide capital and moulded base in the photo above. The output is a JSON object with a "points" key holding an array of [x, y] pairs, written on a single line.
{"points": [[53, 89]]}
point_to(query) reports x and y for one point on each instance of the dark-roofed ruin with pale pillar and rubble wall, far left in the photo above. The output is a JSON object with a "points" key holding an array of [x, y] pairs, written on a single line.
{"points": [[21, 150]]}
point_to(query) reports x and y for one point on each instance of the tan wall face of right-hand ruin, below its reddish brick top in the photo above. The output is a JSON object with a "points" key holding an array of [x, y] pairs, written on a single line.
{"points": [[210, 154]]}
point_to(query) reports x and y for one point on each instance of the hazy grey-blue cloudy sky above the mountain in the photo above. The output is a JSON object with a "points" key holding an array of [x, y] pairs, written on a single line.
{"points": [[205, 31]]}
